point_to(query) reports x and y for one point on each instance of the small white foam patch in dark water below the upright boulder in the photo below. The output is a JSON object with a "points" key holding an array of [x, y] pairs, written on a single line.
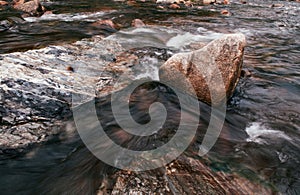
{"points": [[258, 133]]}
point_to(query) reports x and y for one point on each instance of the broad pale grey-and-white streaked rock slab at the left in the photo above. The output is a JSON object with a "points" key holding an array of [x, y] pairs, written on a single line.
{"points": [[36, 87]]}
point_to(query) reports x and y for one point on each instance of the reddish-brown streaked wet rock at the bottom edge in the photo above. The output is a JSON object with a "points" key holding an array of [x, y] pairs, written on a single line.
{"points": [[185, 175]]}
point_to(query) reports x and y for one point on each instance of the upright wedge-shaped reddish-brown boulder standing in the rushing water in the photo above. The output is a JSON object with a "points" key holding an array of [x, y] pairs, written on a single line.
{"points": [[199, 71]]}
